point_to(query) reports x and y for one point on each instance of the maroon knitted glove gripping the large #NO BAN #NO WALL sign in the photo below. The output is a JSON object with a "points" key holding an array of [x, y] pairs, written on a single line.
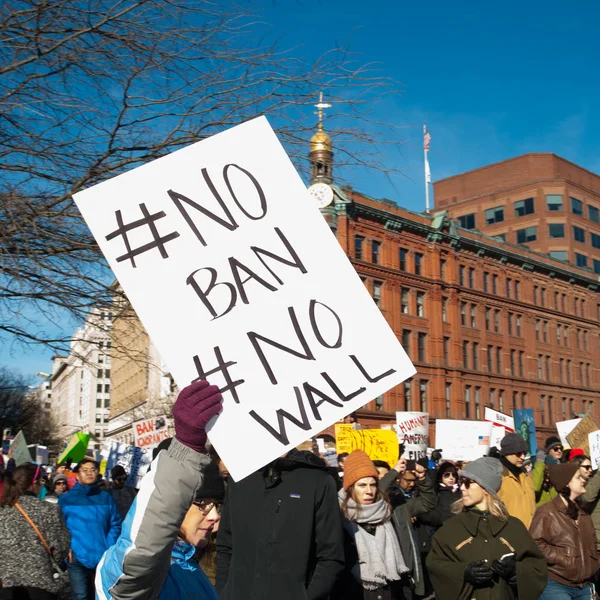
{"points": [[196, 405]]}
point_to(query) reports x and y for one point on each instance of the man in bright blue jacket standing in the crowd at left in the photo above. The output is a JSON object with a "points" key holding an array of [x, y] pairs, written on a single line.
{"points": [[93, 519]]}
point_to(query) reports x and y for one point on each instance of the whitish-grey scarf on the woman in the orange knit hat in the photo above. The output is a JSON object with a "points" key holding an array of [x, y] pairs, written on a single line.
{"points": [[380, 559]]}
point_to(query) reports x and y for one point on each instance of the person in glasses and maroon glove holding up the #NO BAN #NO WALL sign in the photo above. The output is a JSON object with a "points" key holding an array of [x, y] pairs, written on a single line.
{"points": [[174, 513]]}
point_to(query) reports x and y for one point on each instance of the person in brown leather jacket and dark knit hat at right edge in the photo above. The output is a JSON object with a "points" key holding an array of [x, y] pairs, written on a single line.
{"points": [[565, 534]]}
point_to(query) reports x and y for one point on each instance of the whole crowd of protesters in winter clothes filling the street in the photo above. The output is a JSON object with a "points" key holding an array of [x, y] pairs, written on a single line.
{"points": [[499, 527]]}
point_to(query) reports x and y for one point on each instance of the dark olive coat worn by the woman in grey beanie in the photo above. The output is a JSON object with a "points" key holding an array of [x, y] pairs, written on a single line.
{"points": [[472, 536]]}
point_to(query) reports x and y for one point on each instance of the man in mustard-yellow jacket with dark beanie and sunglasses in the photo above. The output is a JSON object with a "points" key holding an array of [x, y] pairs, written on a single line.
{"points": [[517, 491]]}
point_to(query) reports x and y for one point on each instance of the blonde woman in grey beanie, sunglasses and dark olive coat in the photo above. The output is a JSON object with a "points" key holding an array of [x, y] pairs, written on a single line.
{"points": [[482, 553]]}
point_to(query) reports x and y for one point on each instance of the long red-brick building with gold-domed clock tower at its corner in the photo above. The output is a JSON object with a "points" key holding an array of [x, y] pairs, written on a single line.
{"points": [[486, 322]]}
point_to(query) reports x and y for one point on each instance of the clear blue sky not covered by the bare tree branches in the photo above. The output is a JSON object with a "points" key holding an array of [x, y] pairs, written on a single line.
{"points": [[492, 81]]}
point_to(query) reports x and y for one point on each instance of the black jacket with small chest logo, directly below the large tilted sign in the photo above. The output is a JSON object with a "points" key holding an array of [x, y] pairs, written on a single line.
{"points": [[280, 534]]}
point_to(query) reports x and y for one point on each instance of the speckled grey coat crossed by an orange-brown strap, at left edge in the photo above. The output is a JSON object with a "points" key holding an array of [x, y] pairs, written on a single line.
{"points": [[23, 559]]}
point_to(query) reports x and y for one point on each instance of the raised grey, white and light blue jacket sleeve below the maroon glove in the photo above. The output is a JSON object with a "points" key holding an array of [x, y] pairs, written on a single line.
{"points": [[136, 566]]}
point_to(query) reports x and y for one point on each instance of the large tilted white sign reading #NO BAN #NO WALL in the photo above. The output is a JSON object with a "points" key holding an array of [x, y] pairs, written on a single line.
{"points": [[237, 278]]}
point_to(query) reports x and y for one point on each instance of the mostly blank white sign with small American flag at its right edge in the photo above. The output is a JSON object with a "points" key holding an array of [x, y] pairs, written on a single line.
{"points": [[463, 440]]}
